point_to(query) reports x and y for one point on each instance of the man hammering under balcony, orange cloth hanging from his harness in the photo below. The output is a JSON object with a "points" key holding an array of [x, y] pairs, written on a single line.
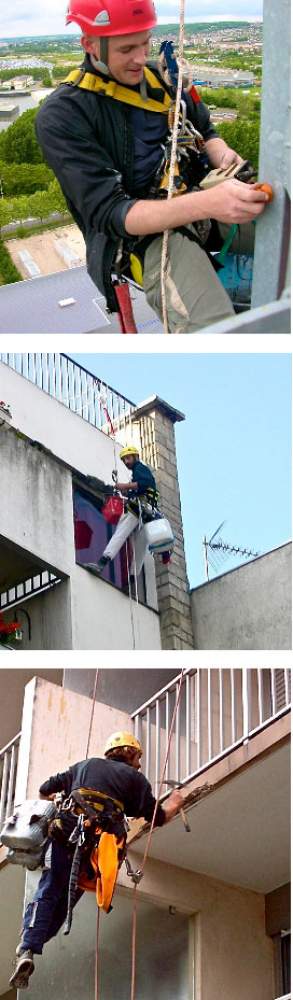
{"points": [[112, 788]]}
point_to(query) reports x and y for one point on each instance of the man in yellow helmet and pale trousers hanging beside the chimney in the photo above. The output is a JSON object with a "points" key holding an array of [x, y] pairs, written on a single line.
{"points": [[142, 498]]}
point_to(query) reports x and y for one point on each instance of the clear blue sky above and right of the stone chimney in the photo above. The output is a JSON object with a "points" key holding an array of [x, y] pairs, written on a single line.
{"points": [[233, 449]]}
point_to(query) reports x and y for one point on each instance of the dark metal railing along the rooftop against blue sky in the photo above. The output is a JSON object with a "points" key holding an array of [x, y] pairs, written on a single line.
{"points": [[74, 386]]}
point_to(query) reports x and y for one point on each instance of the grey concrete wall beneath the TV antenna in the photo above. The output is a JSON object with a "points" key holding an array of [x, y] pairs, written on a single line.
{"points": [[248, 608]]}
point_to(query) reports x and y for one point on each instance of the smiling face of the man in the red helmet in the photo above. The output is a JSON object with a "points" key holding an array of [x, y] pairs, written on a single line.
{"points": [[128, 55]]}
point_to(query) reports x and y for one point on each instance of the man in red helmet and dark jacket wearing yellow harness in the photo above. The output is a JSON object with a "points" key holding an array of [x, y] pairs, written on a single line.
{"points": [[104, 135]]}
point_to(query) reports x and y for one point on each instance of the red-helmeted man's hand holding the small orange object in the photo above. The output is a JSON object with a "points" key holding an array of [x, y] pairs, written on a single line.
{"points": [[234, 201]]}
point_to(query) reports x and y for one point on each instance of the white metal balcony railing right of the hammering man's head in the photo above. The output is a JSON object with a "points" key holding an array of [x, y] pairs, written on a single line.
{"points": [[219, 710]]}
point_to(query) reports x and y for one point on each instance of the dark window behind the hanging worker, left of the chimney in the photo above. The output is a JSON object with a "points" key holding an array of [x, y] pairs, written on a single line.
{"points": [[92, 533]]}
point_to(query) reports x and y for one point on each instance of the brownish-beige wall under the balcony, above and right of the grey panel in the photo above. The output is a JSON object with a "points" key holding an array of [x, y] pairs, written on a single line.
{"points": [[233, 956]]}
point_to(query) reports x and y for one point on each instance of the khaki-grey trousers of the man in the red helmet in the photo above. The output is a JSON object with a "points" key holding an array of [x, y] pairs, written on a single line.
{"points": [[194, 293]]}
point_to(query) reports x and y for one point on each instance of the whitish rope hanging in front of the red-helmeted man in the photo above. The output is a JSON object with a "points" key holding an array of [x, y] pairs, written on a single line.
{"points": [[164, 258]]}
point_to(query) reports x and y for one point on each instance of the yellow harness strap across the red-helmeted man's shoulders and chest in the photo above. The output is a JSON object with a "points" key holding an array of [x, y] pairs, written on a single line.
{"points": [[96, 84]]}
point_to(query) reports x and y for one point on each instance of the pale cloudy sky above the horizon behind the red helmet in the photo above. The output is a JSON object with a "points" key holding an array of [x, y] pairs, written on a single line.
{"points": [[41, 18]]}
